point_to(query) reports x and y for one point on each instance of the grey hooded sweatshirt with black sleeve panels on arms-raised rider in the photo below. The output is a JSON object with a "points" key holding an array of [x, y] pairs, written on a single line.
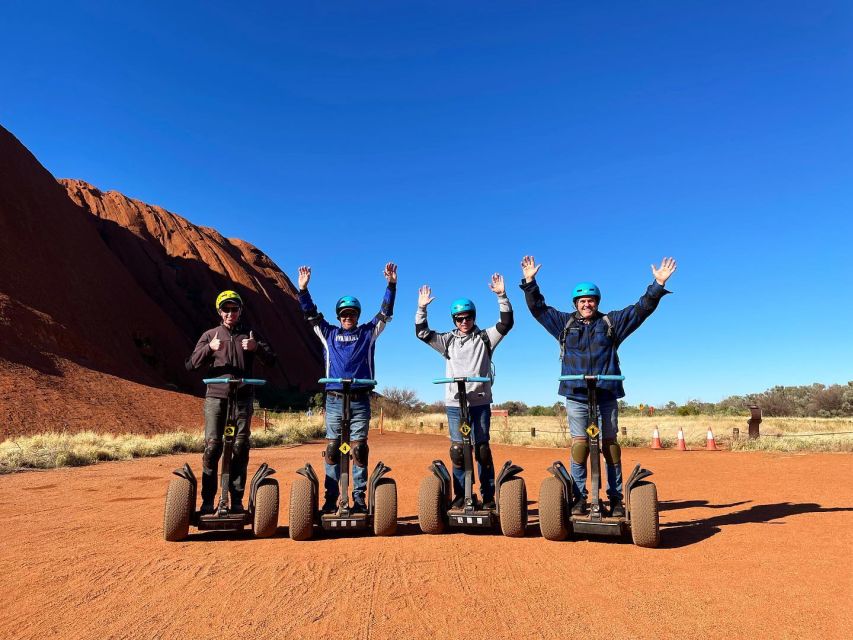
{"points": [[467, 354]]}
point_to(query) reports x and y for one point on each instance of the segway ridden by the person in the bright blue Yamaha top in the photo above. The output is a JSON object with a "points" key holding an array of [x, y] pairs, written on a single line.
{"points": [[381, 515]]}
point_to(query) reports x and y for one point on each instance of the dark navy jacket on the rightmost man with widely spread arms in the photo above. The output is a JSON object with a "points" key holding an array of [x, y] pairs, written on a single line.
{"points": [[589, 349]]}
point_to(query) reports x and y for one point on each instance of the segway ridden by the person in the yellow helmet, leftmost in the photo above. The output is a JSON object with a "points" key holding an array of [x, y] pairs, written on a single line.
{"points": [[262, 512]]}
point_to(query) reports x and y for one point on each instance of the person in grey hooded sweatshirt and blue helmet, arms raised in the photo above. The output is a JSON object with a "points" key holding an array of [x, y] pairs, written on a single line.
{"points": [[468, 351]]}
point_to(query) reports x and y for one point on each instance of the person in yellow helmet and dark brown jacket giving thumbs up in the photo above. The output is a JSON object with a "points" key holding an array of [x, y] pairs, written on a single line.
{"points": [[229, 350]]}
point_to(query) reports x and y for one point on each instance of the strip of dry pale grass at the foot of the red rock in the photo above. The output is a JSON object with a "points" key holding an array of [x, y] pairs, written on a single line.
{"points": [[53, 450]]}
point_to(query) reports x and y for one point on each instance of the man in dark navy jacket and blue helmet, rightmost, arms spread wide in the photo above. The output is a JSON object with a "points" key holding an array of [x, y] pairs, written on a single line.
{"points": [[589, 341]]}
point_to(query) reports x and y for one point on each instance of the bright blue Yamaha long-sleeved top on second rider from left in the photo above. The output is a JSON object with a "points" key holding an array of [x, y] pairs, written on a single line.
{"points": [[349, 354]]}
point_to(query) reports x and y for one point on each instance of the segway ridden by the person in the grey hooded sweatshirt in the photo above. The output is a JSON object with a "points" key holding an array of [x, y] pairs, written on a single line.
{"points": [[435, 509]]}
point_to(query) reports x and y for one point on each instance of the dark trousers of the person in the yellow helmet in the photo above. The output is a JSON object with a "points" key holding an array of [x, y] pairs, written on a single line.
{"points": [[215, 410]]}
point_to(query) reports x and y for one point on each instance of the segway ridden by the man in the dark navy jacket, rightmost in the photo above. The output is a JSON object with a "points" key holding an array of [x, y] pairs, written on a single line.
{"points": [[555, 494]]}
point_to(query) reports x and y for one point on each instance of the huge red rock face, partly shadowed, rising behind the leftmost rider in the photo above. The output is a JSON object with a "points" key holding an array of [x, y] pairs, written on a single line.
{"points": [[102, 298]]}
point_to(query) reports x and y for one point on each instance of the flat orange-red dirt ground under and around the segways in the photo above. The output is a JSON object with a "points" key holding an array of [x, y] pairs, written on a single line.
{"points": [[754, 545]]}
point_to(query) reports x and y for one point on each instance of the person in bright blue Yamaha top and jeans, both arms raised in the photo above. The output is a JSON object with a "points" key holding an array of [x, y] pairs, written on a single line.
{"points": [[349, 351]]}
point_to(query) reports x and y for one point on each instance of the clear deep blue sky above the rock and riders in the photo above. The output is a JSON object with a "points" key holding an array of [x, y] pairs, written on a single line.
{"points": [[454, 138]]}
